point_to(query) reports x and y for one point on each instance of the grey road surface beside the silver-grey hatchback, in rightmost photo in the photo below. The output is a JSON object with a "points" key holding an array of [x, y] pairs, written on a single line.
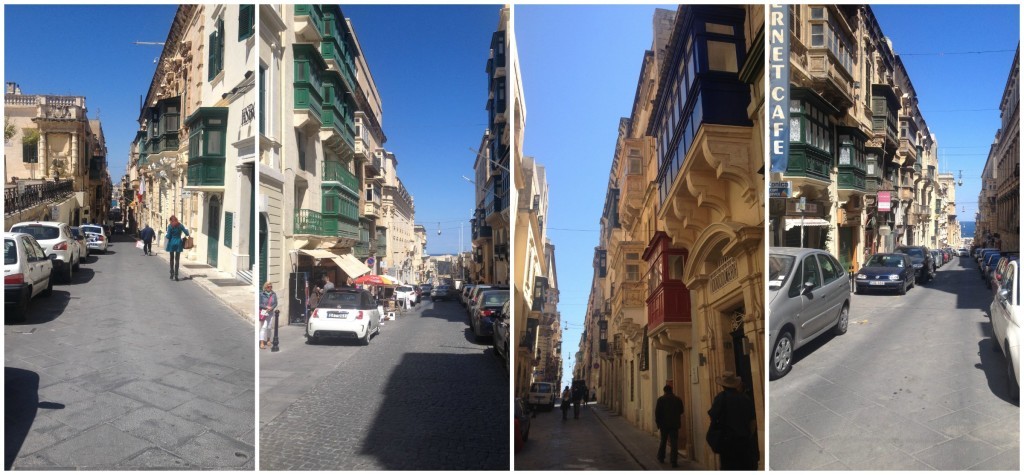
{"points": [[914, 385]]}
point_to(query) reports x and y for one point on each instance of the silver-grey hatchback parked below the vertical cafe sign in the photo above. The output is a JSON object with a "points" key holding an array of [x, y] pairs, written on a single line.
{"points": [[808, 295]]}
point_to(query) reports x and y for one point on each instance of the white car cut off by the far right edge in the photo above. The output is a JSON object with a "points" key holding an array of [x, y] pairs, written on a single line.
{"points": [[1005, 314]]}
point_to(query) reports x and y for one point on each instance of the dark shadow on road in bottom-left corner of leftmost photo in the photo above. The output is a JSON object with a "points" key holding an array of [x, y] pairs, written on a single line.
{"points": [[21, 406]]}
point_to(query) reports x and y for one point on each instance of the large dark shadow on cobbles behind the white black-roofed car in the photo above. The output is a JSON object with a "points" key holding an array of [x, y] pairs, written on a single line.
{"points": [[431, 420]]}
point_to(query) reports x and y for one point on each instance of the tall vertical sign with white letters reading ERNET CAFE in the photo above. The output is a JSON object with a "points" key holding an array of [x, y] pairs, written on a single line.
{"points": [[779, 87]]}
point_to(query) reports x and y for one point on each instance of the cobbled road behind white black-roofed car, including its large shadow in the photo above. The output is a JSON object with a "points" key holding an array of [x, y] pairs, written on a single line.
{"points": [[423, 396]]}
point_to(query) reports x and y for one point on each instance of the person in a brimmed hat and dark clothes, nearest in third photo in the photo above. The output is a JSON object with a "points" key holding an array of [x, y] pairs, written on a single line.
{"points": [[733, 416]]}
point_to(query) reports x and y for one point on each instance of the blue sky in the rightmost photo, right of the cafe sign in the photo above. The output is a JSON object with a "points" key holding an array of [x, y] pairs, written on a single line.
{"points": [[949, 84]]}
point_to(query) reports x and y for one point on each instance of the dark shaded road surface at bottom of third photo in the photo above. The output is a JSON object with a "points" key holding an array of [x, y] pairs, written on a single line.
{"points": [[601, 440]]}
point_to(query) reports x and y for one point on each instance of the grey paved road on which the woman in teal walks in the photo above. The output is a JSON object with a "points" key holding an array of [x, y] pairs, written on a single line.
{"points": [[124, 369]]}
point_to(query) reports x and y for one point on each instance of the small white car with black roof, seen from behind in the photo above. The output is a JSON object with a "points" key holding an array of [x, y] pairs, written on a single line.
{"points": [[345, 314]]}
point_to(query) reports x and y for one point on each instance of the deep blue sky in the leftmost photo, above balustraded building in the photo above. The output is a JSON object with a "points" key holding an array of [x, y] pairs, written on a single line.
{"points": [[89, 52]]}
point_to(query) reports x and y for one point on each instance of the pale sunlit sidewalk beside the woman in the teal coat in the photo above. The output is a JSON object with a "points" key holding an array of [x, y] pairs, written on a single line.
{"points": [[238, 295]]}
